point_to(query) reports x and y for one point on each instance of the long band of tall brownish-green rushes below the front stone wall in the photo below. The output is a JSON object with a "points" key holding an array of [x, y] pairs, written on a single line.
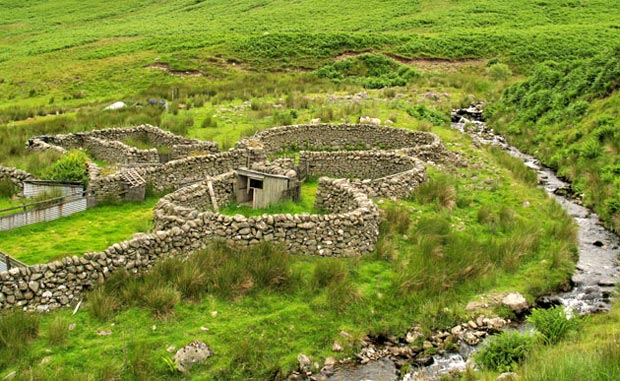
{"points": [[226, 271]]}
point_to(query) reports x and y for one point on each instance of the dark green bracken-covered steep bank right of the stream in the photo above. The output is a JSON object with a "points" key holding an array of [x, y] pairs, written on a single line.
{"points": [[566, 112]]}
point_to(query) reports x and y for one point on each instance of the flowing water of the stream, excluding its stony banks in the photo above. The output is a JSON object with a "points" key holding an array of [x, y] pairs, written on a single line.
{"points": [[597, 270]]}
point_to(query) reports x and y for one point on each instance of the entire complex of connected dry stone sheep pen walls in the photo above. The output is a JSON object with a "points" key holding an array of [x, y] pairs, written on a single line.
{"points": [[354, 162]]}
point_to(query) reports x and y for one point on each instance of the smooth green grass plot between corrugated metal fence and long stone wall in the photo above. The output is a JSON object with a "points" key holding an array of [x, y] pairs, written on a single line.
{"points": [[92, 230]]}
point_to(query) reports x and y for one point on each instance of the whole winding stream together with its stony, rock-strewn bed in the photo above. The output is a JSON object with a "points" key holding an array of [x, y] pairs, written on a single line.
{"points": [[597, 272]]}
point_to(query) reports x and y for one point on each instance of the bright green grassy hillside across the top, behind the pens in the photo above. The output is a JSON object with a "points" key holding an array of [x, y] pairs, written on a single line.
{"points": [[103, 48]]}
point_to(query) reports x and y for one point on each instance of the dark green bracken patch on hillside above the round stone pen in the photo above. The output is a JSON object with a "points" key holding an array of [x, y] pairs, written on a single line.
{"points": [[373, 71]]}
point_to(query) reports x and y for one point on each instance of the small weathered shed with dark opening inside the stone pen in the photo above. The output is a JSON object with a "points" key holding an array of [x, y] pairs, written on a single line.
{"points": [[260, 189]]}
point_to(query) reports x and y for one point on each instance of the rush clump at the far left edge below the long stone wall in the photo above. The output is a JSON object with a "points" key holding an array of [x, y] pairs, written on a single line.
{"points": [[17, 328]]}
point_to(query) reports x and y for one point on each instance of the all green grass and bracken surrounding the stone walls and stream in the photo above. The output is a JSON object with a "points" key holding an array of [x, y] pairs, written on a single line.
{"points": [[548, 70]]}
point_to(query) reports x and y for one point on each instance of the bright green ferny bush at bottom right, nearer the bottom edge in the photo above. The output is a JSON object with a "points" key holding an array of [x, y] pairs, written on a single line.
{"points": [[503, 352]]}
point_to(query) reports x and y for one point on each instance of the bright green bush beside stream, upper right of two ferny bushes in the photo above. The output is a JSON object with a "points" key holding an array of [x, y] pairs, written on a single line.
{"points": [[553, 324]]}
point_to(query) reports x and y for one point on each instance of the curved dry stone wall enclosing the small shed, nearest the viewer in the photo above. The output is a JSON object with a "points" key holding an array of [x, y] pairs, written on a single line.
{"points": [[350, 229]]}
